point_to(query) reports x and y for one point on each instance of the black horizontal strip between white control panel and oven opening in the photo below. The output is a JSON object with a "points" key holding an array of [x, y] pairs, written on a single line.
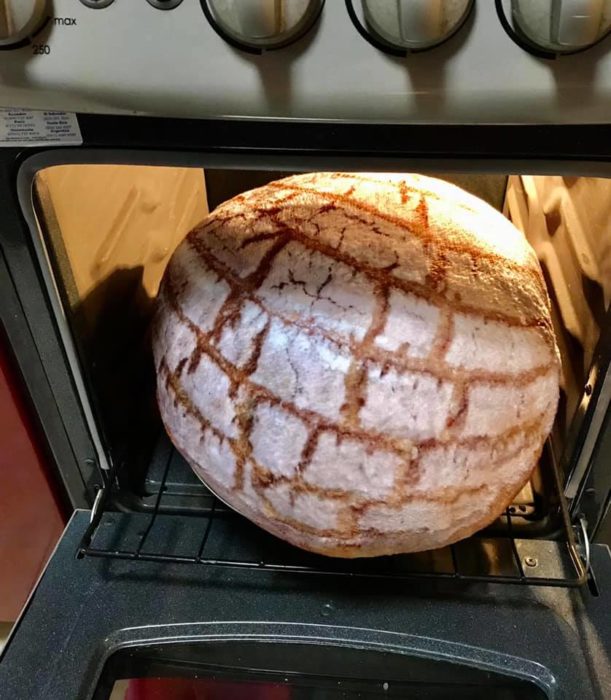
{"points": [[315, 138]]}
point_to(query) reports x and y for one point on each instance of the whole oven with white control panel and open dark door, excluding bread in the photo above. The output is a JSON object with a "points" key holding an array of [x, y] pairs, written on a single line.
{"points": [[158, 111]]}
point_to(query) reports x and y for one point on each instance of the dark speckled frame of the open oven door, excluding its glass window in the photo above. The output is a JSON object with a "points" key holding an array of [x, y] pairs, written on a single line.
{"points": [[87, 611]]}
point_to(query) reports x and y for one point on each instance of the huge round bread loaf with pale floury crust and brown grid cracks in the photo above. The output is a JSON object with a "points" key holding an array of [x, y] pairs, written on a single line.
{"points": [[360, 364]]}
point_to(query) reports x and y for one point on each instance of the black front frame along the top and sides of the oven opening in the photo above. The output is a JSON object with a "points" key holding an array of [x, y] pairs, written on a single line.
{"points": [[28, 319]]}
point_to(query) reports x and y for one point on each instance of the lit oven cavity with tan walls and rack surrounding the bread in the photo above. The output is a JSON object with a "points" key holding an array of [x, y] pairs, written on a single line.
{"points": [[105, 233]]}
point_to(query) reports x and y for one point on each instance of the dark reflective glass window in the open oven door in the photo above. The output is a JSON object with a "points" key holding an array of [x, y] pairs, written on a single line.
{"points": [[272, 671]]}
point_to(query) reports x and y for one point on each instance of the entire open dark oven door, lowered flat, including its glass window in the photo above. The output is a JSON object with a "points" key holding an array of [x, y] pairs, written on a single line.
{"points": [[98, 627]]}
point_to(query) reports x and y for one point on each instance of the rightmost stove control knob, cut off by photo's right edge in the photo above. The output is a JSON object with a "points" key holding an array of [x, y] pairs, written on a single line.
{"points": [[562, 26]]}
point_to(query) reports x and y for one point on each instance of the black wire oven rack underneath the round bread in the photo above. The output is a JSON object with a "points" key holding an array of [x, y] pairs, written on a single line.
{"points": [[511, 551]]}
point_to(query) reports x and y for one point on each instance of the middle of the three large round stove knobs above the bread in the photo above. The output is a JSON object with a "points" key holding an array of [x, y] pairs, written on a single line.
{"points": [[413, 25]]}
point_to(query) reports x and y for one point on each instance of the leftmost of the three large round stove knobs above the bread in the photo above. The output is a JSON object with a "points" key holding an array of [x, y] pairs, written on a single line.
{"points": [[262, 24]]}
